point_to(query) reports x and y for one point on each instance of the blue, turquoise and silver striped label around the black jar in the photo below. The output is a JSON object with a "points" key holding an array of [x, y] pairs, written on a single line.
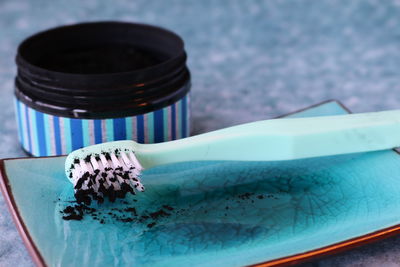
{"points": [[43, 134]]}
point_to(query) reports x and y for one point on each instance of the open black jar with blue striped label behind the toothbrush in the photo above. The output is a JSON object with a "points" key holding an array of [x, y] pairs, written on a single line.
{"points": [[90, 83]]}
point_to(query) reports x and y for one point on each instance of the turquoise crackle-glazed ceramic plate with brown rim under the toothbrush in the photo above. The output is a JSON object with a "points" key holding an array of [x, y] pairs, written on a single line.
{"points": [[212, 213]]}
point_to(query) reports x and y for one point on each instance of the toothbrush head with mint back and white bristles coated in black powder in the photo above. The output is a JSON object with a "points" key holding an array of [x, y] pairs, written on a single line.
{"points": [[109, 170]]}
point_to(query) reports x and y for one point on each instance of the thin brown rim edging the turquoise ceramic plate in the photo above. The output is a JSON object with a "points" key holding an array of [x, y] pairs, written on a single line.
{"points": [[298, 258]]}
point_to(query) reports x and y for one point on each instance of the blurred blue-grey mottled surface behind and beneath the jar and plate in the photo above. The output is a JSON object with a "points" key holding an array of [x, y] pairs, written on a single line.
{"points": [[249, 61]]}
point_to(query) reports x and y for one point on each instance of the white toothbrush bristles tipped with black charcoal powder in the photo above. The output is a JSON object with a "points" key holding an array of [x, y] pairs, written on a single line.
{"points": [[106, 175]]}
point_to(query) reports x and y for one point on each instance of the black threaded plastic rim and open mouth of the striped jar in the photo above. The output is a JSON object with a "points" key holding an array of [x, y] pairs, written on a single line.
{"points": [[102, 70]]}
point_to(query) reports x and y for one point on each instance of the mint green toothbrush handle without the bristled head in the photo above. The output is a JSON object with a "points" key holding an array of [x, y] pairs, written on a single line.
{"points": [[282, 139]]}
